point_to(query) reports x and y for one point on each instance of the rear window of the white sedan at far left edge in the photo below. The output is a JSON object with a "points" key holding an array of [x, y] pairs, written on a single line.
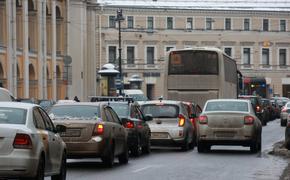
{"points": [[12, 115]]}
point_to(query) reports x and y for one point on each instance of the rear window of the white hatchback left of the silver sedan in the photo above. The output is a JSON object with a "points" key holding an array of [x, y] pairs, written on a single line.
{"points": [[161, 111]]}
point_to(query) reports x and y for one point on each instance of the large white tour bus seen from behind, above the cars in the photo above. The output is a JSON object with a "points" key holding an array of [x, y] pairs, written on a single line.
{"points": [[198, 74]]}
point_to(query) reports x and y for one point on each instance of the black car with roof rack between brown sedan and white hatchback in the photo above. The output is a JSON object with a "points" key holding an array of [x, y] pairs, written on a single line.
{"points": [[135, 122]]}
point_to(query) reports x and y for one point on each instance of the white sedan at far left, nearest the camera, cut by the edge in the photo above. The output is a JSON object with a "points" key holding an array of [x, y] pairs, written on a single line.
{"points": [[30, 146]]}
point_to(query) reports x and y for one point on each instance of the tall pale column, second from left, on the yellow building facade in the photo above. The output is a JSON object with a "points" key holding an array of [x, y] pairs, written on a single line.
{"points": [[25, 47]]}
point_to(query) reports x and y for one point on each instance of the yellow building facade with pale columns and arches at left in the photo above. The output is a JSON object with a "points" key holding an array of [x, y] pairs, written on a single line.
{"points": [[33, 47]]}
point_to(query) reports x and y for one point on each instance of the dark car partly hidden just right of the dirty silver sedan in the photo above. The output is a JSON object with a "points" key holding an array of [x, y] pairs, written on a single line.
{"points": [[260, 110]]}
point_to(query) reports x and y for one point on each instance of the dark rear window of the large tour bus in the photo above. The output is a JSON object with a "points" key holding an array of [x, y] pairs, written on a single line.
{"points": [[193, 62]]}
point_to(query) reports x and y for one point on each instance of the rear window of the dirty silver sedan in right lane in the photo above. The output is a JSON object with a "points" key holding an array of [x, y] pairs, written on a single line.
{"points": [[227, 106]]}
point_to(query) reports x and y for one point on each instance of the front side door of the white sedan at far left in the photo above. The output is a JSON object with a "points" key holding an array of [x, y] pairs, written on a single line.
{"points": [[54, 141]]}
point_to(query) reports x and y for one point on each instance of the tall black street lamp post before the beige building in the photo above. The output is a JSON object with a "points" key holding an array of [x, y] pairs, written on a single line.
{"points": [[120, 18]]}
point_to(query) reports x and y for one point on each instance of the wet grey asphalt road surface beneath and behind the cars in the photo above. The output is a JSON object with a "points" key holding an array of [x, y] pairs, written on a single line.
{"points": [[222, 163]]}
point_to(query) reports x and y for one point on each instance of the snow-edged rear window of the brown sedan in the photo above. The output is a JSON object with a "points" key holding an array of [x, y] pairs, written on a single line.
{"points": [[74, 111]]}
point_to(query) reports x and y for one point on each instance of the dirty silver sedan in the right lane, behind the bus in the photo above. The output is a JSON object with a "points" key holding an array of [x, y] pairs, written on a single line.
{"points": [[228, 122]]}
